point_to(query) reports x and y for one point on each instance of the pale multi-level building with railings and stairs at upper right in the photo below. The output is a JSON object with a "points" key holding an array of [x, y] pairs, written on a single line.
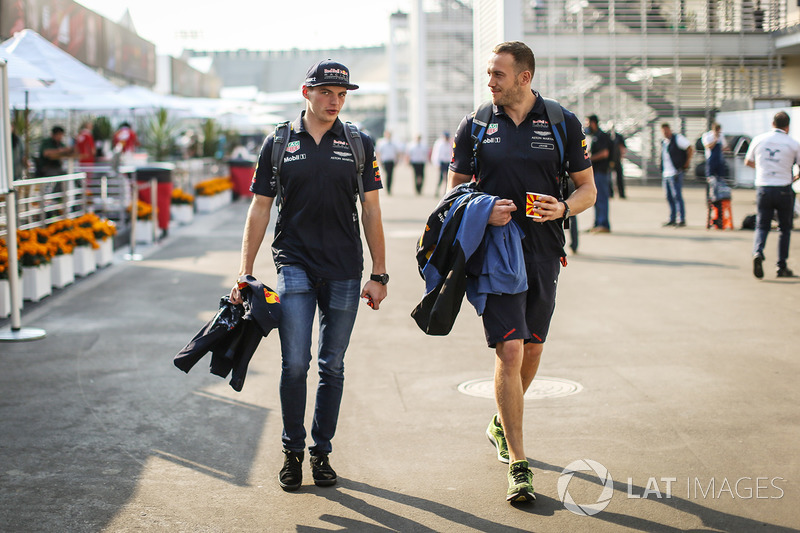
{"points": [[638, 63]]}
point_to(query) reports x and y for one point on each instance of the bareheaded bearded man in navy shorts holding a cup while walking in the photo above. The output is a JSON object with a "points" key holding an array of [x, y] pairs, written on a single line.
{"points": [[509, 165]]}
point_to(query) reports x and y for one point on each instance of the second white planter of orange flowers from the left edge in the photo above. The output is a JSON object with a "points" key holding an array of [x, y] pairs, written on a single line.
{"points": [[34, 255]]}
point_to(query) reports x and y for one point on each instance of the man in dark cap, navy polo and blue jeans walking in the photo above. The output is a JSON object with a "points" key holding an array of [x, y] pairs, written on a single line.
{"points": [[318, 254]]}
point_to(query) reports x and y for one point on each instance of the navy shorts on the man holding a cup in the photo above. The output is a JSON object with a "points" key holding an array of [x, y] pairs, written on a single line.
{"points": [[525, 315]]}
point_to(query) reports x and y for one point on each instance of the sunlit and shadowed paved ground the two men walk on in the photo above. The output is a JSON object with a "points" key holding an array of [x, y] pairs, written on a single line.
{"points": [[688, 367]]}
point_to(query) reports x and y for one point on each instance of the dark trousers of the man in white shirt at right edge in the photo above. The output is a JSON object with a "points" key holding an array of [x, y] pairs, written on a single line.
{"points": [[768, 201]]}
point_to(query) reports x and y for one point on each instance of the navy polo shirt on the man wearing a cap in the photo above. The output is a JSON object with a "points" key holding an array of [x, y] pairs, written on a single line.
{"points": [[317, 227]]}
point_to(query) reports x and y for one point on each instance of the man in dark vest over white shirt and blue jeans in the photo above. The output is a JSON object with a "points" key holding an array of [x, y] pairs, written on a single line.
{"points": [[676, 155]]}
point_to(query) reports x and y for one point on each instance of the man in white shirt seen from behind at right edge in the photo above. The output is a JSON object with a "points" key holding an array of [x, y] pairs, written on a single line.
{"points": [[773, 155]]}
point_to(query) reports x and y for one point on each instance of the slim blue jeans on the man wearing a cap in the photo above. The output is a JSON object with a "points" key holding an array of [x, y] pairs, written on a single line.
{"points": [[337, 301]]}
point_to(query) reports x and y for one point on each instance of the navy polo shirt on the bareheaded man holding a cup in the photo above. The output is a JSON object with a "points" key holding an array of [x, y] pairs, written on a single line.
{"points": [[514, 160]]}
